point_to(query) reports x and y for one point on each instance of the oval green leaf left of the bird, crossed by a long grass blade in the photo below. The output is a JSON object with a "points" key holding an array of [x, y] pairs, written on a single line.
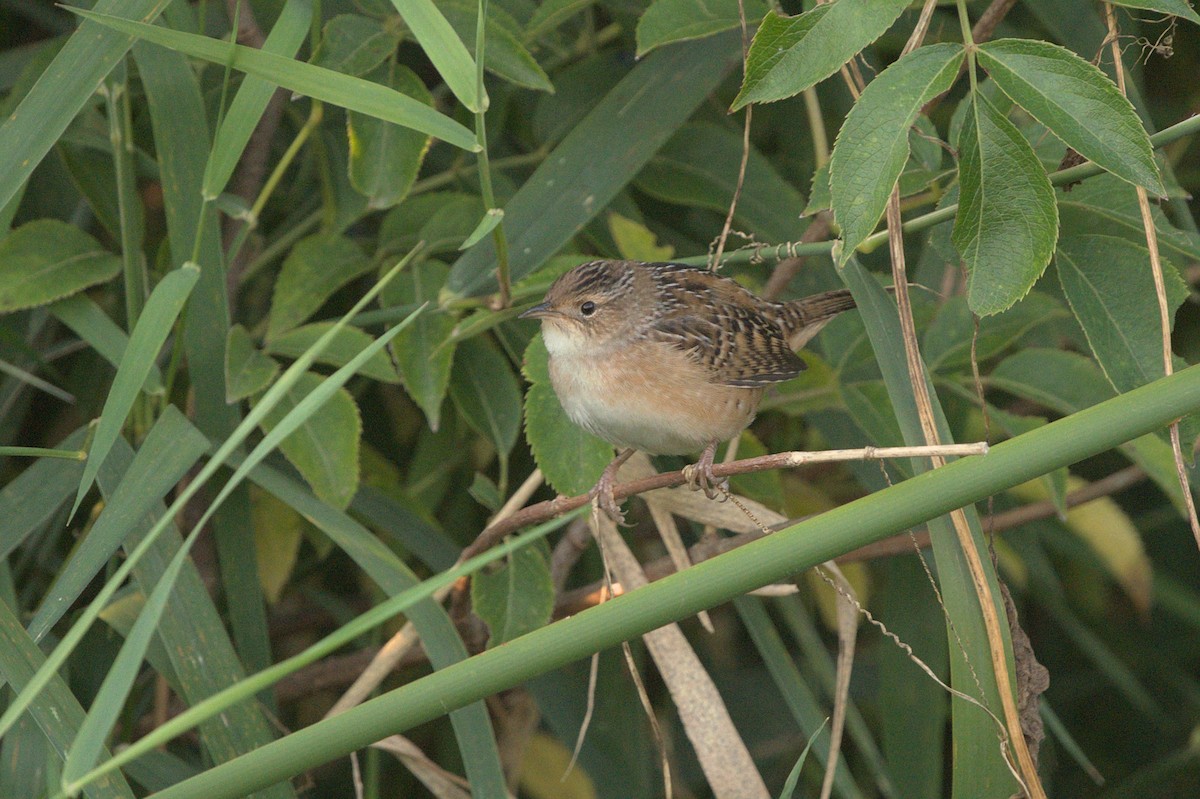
{"points": [[326, 448]]}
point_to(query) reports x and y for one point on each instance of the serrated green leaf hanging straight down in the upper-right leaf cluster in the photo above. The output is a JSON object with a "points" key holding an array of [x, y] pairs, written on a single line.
{"points": [[1007, 220]]}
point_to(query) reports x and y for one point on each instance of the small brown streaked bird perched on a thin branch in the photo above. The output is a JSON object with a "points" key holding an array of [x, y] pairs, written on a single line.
{"points": [[669, 359]]}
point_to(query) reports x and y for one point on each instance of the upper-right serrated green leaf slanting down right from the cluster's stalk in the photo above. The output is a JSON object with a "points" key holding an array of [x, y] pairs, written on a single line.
{"points": [[1078, 104]]}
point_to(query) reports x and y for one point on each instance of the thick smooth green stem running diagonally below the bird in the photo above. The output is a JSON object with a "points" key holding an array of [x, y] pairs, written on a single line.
{"points": [[712, 582]]}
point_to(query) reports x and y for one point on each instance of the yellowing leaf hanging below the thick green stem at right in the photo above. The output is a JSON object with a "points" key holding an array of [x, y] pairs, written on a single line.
{"points": [[1112, 536]]}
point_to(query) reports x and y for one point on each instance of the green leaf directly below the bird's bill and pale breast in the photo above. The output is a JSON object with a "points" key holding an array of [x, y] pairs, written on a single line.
{"points": [[569, 458]]}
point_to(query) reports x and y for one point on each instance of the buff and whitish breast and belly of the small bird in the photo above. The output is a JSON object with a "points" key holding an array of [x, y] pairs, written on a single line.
{"points": [[651, 398]]}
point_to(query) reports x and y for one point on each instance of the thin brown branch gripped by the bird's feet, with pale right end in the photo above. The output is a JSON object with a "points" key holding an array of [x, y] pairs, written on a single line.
{"points": [[554, 508]]}
